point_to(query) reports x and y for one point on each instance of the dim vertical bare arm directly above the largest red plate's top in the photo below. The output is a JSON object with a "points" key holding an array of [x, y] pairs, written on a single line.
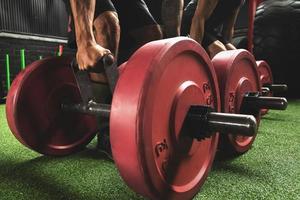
{"points": [[171, 14]]}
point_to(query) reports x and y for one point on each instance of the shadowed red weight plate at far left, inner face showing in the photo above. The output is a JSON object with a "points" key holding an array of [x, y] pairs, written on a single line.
{"points": [[33, 109]]}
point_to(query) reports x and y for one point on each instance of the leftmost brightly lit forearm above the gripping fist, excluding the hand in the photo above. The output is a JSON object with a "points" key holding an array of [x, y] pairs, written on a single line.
{"points": [[83, 13]]}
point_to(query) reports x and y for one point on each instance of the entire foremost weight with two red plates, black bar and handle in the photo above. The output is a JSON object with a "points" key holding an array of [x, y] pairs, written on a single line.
{"points": [[164, 115]]}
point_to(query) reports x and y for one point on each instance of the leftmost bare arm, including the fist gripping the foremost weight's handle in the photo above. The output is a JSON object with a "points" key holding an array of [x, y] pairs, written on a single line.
{"points": [[88, 52]]}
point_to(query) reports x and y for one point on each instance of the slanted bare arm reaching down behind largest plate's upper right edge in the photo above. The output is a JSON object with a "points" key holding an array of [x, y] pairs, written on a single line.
{"points": [[203, 12]]}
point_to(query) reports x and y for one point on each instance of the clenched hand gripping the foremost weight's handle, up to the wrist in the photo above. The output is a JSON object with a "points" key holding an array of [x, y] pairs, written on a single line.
{"points": [[88, 55]]}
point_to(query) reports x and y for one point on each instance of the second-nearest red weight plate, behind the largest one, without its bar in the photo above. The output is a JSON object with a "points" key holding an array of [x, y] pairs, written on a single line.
{"points": [[237, 74]]}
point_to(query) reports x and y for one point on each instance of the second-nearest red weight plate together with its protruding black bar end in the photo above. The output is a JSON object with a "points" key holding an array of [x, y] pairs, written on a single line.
{"points": [[240, 91]]}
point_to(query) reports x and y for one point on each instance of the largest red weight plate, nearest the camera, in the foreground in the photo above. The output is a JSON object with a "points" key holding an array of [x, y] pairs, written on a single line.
{"points": [[160, 82]]}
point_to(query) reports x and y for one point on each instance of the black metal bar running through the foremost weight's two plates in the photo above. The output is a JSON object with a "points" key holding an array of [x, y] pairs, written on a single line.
{"points": [[200, 122]]}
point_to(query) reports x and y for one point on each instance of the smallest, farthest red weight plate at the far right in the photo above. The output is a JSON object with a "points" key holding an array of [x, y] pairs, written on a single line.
{"points": [[265, 75]]}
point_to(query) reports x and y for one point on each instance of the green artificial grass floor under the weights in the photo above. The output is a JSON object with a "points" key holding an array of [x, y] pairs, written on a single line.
{"points": [[270, 170]]}
